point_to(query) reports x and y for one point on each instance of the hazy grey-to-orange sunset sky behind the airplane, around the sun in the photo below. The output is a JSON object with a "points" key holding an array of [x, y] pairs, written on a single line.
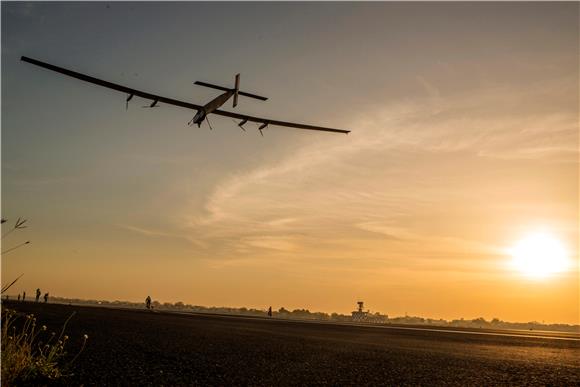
{"points": [[464, 120]]}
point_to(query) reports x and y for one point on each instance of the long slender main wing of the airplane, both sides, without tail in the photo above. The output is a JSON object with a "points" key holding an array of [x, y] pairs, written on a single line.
{"points": [[170, 101]]}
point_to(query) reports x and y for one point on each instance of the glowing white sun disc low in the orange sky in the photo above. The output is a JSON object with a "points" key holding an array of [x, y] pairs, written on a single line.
{"points": [[539, 255]]}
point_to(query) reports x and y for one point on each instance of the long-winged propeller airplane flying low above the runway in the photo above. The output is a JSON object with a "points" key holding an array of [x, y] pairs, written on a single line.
{"points": [[212, 107]]}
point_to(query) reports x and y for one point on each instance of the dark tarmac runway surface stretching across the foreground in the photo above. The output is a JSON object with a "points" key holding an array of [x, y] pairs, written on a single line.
{"points": [[132, 347]]}
